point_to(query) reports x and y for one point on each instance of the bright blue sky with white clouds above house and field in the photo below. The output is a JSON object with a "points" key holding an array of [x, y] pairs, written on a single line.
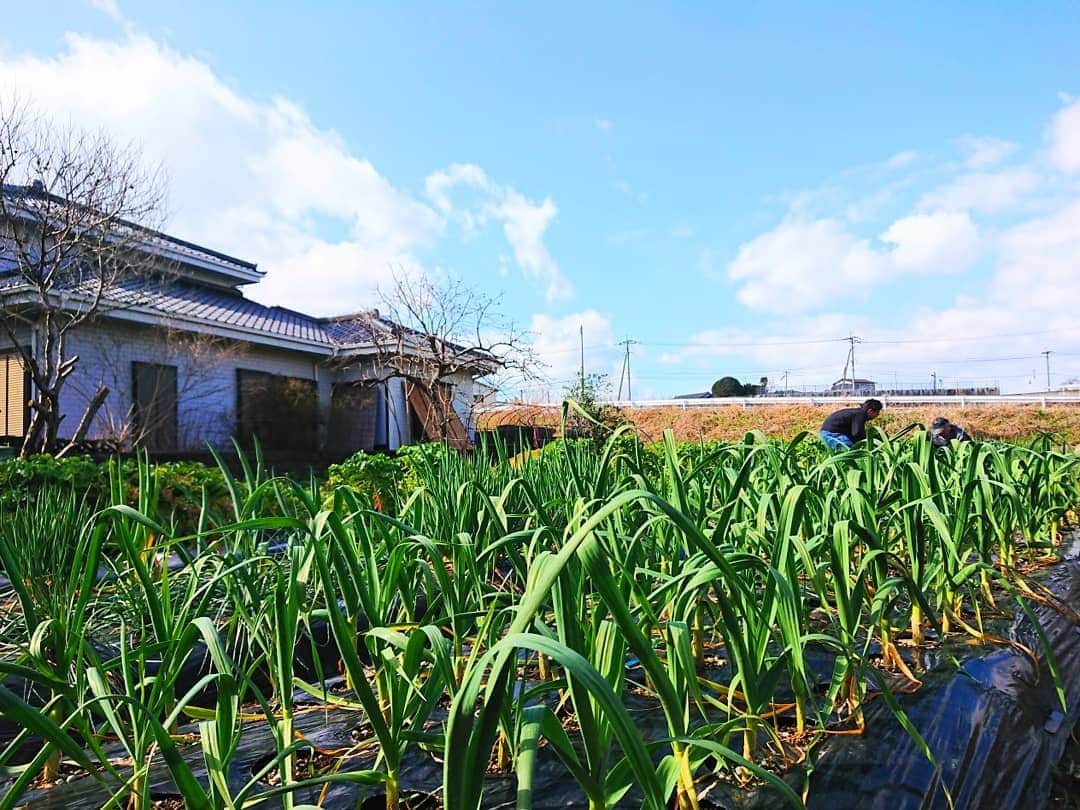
{"points": [[737, 190]]}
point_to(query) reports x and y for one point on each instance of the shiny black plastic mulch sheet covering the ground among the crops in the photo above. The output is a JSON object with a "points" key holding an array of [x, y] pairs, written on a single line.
{"points": [[993, 724]]}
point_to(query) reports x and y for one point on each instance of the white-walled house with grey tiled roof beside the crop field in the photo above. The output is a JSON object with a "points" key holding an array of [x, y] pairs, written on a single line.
{"points": [[191, 361]]}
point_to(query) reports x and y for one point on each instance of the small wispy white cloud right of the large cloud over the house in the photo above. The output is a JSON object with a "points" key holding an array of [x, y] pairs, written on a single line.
{"points": [[524, 223]]}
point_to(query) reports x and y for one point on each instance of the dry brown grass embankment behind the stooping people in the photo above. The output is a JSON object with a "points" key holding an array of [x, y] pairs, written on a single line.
{"points": [[785, 422]]}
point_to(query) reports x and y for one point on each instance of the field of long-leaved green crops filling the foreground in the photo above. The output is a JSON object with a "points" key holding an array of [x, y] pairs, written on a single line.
{"points": [[499, 612]]}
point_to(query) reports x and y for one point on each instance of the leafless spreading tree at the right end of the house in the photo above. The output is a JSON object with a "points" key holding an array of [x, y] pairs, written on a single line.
{"points": [[430, 333]]}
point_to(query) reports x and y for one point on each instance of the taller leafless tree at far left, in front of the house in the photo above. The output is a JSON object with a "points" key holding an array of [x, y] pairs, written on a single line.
{"points": [[69, 248]]}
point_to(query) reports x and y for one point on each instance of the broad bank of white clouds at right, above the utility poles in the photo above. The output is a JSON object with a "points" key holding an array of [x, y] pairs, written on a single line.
{"points": [[1020, 303]]}
